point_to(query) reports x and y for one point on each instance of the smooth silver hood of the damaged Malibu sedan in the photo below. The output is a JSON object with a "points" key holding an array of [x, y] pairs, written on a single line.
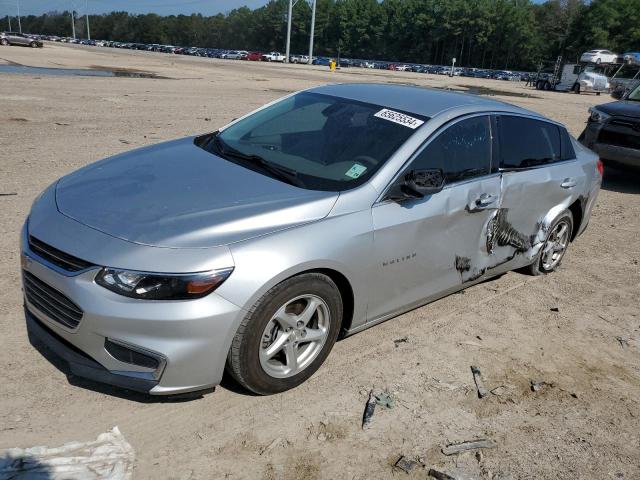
{"points": [[178, 195]]}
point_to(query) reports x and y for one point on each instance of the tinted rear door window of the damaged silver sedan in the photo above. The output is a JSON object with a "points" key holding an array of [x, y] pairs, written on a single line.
{"points": [[525, 142]]}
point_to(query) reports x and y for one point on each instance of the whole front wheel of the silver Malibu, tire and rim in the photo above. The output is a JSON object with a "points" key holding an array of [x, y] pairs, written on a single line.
{"points": [[287, 334]]}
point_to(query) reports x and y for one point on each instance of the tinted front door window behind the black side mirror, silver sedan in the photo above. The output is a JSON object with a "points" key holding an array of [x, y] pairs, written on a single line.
{"points": [[462, 151]]}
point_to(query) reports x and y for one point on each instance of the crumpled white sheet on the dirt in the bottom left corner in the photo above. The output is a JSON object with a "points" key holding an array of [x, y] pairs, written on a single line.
{"points": [[109, 457]]}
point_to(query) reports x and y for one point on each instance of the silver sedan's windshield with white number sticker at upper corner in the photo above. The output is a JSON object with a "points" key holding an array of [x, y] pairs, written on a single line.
{"points": [[316, 141]]}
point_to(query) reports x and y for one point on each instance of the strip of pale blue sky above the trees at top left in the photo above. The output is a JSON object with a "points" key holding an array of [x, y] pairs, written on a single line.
{"points": [[161, 7]]}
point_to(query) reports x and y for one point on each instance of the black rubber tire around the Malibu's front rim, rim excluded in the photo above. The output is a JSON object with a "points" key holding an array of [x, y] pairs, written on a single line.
{"points": [[243, 361]]}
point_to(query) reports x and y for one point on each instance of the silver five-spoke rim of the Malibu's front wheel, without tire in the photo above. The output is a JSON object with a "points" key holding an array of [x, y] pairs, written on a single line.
{"points": [[294, 336]]}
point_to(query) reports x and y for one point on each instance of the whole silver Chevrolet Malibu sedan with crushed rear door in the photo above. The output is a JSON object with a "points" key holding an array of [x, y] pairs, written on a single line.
{"points": [[252, 248]]}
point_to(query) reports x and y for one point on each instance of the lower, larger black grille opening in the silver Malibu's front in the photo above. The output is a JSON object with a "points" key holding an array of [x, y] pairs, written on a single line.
{"points": [[51, 302]]}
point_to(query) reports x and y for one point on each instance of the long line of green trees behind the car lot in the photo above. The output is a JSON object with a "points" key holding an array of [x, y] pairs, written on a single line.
{"points": [[501, 34]]}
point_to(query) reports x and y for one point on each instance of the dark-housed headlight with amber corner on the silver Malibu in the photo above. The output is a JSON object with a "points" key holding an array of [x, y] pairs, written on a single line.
{"points": [[159, 286]]}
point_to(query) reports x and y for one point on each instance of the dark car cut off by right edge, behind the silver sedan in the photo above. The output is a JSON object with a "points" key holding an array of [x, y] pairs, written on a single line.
{"points": [[613, 131]]}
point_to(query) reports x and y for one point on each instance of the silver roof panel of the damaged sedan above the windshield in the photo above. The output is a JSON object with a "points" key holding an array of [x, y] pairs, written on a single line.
{"points": [[427, 102]]}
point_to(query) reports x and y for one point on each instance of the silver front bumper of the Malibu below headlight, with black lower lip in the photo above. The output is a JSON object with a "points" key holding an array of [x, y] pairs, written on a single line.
{"points": [[191, 337]]}
